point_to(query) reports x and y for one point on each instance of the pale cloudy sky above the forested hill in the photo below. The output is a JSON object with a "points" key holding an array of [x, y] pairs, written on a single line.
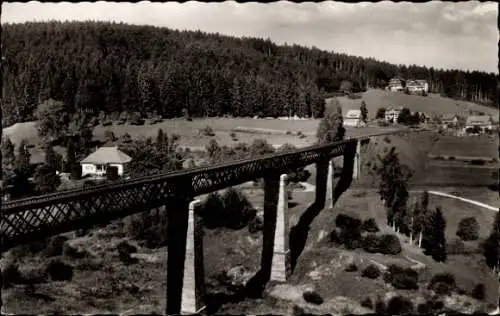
{"points": [[439, 34]]}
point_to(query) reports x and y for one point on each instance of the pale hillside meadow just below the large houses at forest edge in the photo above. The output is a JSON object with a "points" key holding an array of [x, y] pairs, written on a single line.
{"points": [[432, 104]]}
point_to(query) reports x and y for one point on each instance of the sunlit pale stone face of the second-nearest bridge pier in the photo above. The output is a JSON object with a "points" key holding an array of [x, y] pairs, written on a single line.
{"points": [[281, 268]]}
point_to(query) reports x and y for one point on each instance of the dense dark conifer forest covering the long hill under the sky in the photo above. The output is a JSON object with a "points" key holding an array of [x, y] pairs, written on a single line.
{"points": [[115, 68]]}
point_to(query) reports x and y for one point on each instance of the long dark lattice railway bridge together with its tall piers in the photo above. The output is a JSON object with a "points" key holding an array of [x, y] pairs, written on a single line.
{"points": [[36, 218]]}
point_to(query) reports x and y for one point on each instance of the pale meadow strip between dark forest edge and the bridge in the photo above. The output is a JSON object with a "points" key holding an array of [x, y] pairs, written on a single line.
{"points": [[276, 132]]}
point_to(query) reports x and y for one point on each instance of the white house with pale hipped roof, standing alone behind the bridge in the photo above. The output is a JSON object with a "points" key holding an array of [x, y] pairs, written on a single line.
{"points": [[96, 163]]}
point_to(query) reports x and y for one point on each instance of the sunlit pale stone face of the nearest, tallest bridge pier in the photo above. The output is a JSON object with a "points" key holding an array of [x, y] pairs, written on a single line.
{"points": [[193, 286]]}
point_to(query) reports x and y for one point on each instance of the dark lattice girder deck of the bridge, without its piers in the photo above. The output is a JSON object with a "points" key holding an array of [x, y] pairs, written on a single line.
{"points": [[30, 219]]}
